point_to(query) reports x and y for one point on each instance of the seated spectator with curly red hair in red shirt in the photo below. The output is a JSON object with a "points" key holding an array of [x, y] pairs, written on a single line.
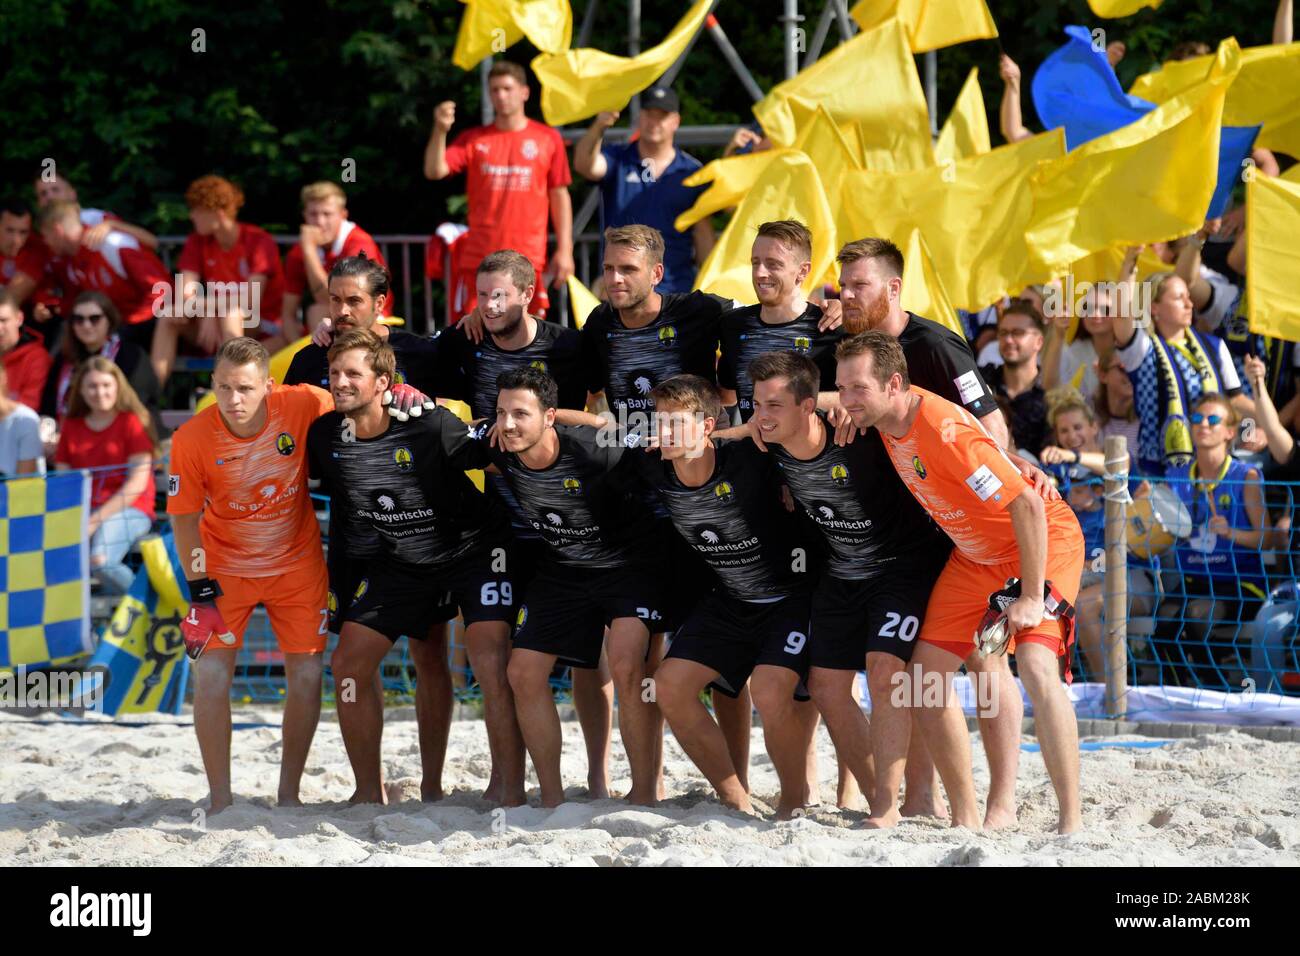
{"points": [[232, 282]]}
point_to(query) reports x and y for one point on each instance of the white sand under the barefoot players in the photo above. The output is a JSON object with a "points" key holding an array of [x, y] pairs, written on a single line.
{"points": [[105, 794]]}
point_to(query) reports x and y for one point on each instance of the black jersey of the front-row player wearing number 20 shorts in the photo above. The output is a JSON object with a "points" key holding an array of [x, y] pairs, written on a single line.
{"points": [[868, 517]]}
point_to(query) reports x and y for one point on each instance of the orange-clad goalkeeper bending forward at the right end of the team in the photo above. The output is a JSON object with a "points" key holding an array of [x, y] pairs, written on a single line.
{"points": [[1003, 530]]}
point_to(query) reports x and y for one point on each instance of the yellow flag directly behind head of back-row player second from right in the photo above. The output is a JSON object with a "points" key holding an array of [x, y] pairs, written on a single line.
{"points": [[790, 188]]}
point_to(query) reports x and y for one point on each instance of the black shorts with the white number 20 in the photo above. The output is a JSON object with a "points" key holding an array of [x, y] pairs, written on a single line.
{"points": [[882, 615]]}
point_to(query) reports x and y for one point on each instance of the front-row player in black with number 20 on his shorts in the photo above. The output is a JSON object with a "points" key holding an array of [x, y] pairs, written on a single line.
{"points": [[883, 559]]}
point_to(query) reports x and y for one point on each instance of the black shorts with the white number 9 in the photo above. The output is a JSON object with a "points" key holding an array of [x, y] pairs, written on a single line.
{"points": [[734, 637]]}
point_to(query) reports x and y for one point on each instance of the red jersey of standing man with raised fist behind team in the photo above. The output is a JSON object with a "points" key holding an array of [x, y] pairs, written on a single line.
{"points": [[509, 178]]}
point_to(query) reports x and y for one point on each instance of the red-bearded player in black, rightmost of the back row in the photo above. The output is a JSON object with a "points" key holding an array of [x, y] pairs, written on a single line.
{"points": [[942, 362]]}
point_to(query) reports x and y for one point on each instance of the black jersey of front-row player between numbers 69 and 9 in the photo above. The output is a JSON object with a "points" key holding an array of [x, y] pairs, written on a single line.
{"points": [[586, 507]]}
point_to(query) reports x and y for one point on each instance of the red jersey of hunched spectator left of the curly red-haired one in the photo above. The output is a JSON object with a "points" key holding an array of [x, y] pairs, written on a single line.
{"points": [[123, 270]]}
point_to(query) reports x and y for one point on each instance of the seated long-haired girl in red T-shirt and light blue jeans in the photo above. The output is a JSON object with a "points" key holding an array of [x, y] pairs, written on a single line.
{"points": [[109, 431]]}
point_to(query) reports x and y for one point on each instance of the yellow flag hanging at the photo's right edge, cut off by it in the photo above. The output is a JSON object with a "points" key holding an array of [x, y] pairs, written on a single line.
{"points": [[1273, 269]]}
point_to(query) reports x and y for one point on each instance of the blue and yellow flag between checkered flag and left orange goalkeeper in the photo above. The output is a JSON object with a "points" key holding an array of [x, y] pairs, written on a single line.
{"points": [[142, 654]]}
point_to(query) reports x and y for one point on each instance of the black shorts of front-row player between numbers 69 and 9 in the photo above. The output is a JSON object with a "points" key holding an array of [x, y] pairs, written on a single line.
{"points": [[567, 609]]}
